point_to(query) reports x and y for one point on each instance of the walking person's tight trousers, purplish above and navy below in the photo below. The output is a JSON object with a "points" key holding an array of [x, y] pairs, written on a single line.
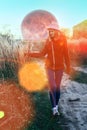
{"points": [[54, 78]]}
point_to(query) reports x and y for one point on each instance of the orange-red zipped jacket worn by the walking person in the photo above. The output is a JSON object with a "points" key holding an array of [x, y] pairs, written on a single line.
{"points": [[56, 54]]}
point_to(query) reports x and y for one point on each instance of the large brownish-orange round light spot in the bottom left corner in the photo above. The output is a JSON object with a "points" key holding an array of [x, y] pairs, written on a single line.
{"points": [[16, 105]]}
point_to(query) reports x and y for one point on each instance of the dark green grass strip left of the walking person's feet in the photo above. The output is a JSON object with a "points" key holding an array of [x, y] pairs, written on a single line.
{"points": [[43, 119]]}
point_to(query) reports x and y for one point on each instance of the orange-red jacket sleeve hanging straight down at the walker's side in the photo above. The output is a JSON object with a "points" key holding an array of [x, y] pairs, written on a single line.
{"points": [[66, 55]]}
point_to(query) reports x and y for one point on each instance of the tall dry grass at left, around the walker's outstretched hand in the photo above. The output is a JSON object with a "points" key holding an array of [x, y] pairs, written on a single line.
{"points": [[12, 54]]}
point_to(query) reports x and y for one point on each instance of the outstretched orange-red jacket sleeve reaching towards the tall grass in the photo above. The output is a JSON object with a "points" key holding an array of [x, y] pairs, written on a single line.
{"points": [[38, 54]]}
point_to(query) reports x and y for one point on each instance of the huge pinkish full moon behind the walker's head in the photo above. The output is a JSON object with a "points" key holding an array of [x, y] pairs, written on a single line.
{"points": [[34, 25]]}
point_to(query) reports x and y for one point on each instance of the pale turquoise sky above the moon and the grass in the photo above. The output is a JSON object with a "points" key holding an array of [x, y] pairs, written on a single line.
{"points": [[67, 12]]}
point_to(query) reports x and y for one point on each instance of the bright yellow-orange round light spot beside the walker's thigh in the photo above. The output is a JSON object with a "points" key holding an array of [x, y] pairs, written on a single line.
{"points": [[32, 77]]}
